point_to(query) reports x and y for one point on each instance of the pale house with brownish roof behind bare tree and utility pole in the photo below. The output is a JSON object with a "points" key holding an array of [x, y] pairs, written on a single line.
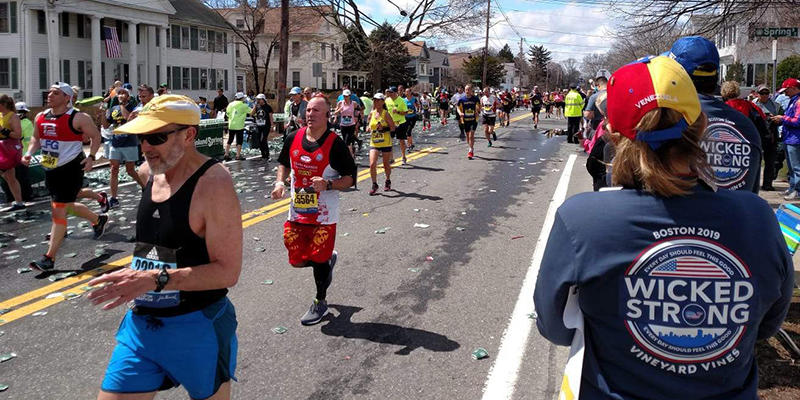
{"points": [[312, 41]]}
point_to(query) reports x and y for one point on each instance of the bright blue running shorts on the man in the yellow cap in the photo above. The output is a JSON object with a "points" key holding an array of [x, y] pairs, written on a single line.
{"points": [[196, 350]]}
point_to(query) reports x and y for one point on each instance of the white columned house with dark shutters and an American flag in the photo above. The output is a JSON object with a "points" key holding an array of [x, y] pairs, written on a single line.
{"points": [[180, 42]]}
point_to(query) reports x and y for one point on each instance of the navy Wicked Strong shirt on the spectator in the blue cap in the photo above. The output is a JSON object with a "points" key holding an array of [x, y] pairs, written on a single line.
{"points": [[732, 146]]}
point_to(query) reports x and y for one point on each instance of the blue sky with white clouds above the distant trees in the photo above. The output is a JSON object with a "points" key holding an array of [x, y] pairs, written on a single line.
{"points": [[567, 29]]}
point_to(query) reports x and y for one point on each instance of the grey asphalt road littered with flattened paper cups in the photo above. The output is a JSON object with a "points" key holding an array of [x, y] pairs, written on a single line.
{"points": [[409, 306]]}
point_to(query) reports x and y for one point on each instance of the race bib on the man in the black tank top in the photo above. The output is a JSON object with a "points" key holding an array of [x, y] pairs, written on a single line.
{"points": [[148, 257]]}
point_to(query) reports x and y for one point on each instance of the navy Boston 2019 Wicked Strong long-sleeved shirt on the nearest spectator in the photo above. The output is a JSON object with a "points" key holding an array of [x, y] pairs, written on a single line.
{"points": [[674, 291]]}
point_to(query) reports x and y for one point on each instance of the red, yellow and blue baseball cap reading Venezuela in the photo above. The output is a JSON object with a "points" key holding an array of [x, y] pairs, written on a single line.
{"points": [[642, 86]]}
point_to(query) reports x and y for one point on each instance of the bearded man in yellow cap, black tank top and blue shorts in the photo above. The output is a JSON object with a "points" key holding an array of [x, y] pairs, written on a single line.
{"points": [[181, 329]]}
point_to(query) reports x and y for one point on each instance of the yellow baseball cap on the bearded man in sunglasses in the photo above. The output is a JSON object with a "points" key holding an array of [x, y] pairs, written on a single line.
{"points": [[160, 112]]}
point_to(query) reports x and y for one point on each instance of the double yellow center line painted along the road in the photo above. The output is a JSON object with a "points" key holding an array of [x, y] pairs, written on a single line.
{"points": [[264, 213]]}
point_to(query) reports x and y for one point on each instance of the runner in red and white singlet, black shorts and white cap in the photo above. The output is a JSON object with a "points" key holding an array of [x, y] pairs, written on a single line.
{"points": [[59, 132]]}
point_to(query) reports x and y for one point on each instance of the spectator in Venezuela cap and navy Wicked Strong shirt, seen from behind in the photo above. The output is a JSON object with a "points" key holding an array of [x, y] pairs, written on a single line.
{"points": [[670, 286]]}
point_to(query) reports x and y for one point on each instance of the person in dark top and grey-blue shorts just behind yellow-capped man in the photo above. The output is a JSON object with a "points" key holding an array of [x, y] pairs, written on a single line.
{"points": [[120, 148]]}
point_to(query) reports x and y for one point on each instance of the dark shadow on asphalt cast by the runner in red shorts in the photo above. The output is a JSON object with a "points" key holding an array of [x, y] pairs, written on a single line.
{"points": [[410, 338]]}
